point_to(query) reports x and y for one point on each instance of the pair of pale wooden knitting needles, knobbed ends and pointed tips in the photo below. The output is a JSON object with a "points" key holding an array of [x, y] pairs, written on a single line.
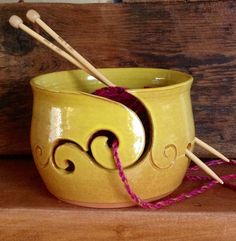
{"points": [[79, 61]]}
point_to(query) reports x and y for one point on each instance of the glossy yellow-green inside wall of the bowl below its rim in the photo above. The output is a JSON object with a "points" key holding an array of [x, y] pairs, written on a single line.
{"points": [[132, 78]]}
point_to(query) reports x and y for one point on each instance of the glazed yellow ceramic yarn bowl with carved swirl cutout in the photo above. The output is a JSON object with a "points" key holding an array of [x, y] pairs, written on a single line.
{"points": [[71, 128]]}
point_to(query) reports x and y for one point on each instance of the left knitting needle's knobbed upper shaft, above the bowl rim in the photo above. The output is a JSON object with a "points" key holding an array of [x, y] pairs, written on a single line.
{"points": [[17, 22]]}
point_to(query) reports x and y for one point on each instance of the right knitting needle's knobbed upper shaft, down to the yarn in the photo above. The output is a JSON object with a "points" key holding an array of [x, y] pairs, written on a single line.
{"points": [[34, 17]]}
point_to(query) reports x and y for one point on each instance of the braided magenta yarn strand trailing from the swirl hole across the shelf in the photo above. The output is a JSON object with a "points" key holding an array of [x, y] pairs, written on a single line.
{"points": [[169, 201]]}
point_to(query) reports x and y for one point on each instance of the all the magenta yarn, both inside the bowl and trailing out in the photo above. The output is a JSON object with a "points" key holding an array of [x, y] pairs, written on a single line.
{"points": [[120, 95]]}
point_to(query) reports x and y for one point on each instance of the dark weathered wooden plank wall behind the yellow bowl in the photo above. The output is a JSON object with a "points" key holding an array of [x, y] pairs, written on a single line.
{"points": [[196, 37]]}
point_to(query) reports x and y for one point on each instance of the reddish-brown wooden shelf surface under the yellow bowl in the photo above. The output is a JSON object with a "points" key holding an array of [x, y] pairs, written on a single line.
{"points": [[29, 212]]}
